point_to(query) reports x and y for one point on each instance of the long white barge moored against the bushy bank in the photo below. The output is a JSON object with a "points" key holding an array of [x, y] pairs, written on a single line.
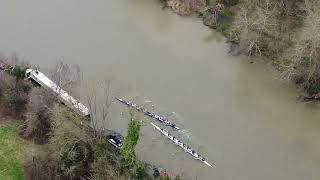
{"points": [[63, 96]]}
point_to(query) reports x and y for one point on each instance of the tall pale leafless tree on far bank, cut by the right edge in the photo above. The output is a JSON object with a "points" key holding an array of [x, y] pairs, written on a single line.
{"points": [[304, 57]]}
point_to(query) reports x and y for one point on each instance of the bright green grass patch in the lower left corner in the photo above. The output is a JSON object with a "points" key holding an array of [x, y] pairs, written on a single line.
{"points": [[10, 147]]}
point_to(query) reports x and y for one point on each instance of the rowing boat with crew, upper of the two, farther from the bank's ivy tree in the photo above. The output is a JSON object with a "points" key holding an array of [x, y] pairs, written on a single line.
{"points": [[148, 113]]}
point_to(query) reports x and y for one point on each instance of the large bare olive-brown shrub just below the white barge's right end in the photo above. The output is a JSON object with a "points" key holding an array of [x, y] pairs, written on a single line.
{"points": [[70, 144]]}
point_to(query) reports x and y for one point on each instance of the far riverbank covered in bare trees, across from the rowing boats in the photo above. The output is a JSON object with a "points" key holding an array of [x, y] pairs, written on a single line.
{"points": [[282, 33]]}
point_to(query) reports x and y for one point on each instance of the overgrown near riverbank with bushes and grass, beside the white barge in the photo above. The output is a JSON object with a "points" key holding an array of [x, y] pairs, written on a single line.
{"points": [[61, 143]]}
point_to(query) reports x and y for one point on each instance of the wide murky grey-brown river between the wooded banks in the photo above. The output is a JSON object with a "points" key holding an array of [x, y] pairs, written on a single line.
{"points": [[242, 119]]}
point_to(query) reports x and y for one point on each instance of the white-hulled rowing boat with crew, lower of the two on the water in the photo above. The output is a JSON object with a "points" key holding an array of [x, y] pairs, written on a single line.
{"points": [[182, 145]]}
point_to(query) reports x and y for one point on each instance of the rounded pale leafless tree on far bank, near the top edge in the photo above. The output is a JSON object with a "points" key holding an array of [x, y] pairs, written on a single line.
{"points": [[257, 26]]}
